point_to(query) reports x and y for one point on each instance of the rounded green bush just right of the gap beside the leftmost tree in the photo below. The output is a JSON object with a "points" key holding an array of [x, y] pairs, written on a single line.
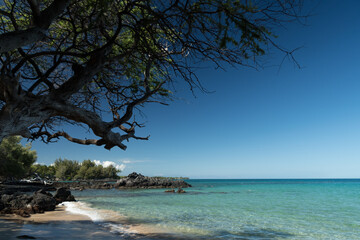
{"points": [[66, 169]]}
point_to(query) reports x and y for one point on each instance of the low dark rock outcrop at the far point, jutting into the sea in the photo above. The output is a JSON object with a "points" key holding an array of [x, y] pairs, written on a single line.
{"points": [[136, 180]]}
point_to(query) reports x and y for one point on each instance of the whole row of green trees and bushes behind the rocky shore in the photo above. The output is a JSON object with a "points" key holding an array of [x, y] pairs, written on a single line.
{"points": [[17, 161]]}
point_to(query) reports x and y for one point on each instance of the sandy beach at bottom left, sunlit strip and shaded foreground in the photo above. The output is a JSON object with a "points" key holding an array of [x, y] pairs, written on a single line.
{"points": [[64, 224]]}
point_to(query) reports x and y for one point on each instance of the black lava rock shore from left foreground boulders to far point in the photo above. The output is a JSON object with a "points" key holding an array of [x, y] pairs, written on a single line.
{"points": [[25, 199]]}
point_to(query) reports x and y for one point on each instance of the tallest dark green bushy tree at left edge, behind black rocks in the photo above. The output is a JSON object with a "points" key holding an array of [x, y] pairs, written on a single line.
{"points": [[15, 159]]}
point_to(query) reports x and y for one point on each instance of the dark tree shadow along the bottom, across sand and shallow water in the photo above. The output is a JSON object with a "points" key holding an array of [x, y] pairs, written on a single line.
{"points": [[85, 229]]}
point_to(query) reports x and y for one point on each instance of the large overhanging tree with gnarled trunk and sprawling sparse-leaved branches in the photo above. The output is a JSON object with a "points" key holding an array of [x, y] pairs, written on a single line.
{"points": [[67, 61]]}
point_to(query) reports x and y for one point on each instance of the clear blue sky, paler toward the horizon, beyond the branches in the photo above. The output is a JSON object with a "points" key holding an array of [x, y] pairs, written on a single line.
{"points": [[292, 123]]}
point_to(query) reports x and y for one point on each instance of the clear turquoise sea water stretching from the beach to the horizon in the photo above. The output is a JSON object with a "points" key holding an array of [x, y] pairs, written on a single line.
{"points": [[242, 209]]}
